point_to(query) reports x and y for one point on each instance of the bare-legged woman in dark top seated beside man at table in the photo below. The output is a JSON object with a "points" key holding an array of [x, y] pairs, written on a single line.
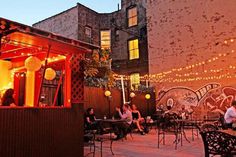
{"points": [[137, 119]]}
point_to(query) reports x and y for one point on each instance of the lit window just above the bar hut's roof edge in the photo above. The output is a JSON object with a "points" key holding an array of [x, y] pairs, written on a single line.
{"points": [[105, 39]]}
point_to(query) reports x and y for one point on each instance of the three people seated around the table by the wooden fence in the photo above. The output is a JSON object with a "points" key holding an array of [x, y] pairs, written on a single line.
{"points": [[130, 114]]}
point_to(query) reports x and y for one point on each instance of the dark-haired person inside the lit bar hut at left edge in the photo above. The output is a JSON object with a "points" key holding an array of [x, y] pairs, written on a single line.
{"points": [[8, 98]]}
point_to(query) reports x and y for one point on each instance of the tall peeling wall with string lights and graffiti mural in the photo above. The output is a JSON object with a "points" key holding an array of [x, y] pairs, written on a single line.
{"points": [[192, 55]]}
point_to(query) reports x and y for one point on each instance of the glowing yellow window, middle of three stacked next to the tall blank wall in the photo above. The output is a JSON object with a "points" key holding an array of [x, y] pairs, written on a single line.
{"points": [[133, 49]]}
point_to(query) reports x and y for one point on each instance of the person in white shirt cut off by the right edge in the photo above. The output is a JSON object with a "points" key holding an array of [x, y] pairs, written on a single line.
{"points": [[230, 115]]}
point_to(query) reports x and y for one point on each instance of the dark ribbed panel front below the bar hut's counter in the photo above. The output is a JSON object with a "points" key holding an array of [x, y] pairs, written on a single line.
{"points": [[41, 132]]}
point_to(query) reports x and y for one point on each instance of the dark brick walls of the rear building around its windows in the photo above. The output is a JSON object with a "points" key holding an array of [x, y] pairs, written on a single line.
{"points": [[71, 23]]}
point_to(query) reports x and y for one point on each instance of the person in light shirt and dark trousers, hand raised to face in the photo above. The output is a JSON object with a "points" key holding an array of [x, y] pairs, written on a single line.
{"points": [[123, 128]]}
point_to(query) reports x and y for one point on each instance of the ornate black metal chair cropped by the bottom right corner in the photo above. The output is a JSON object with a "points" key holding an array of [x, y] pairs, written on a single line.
{"points": [[218, 143]]}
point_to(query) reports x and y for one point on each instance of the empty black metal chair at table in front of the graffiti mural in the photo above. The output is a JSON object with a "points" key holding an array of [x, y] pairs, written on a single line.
{"points": [[169, 126]]}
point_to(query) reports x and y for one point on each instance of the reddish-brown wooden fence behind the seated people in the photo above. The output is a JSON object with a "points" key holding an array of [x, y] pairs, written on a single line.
{"points": [[94, 97]]}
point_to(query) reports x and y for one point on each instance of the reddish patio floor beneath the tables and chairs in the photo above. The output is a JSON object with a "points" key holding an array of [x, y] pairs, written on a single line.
{"points": [[146, 146]]}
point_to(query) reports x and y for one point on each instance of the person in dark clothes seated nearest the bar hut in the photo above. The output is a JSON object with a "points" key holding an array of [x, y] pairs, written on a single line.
{"points": [[90, 120]]}
